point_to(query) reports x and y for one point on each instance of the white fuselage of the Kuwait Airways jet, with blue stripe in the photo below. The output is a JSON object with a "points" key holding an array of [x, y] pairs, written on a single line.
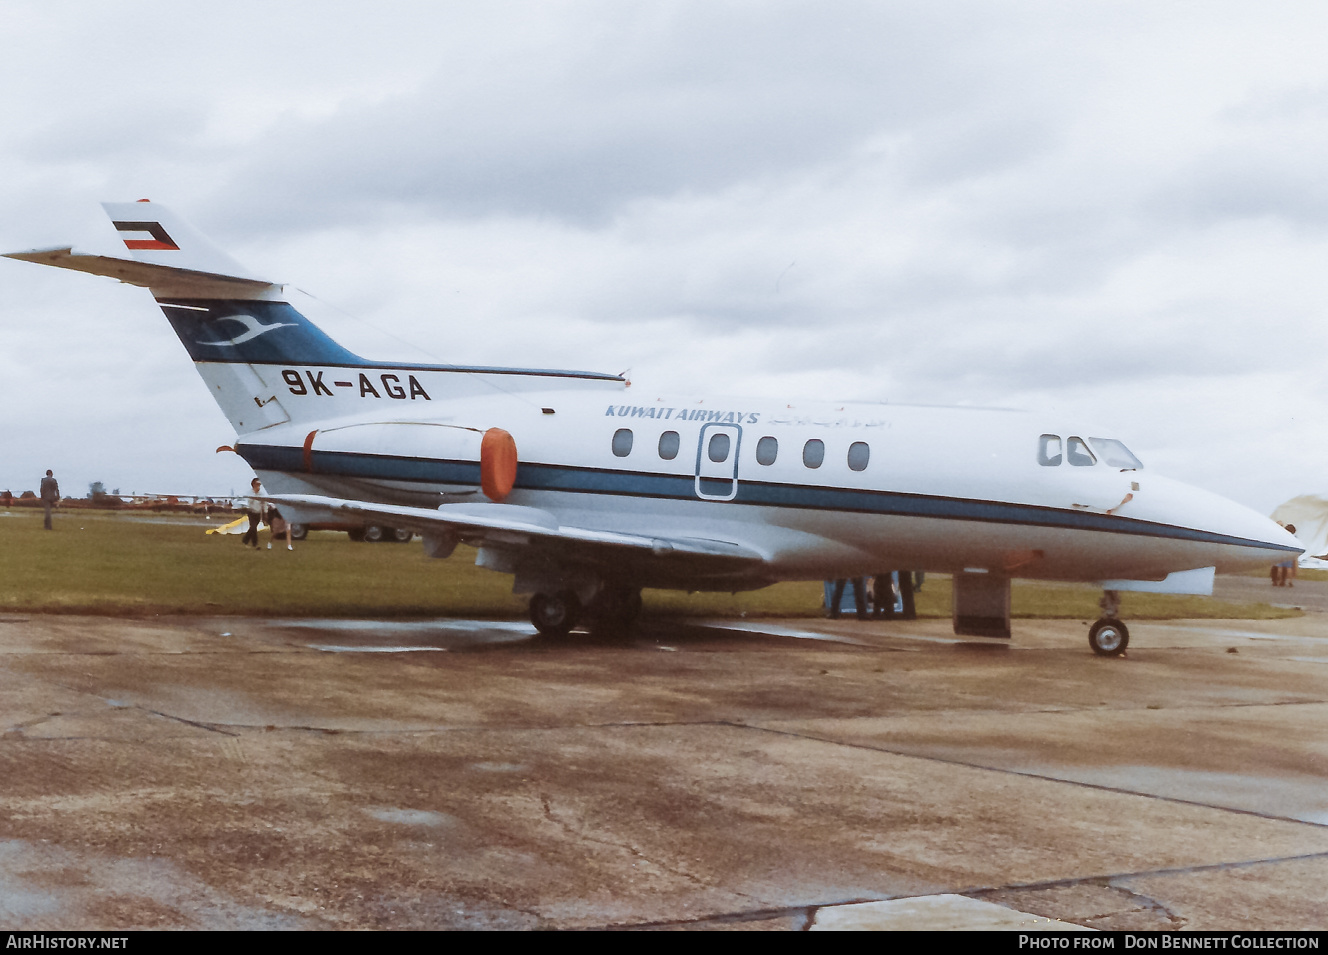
{"points": [[940, 489]]}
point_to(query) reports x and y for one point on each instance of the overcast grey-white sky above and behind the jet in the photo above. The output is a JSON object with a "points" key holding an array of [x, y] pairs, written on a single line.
{"points": [[1118, 211]]}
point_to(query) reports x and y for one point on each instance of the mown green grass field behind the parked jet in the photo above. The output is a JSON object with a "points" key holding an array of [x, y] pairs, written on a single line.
{"points": [[99, 563]]}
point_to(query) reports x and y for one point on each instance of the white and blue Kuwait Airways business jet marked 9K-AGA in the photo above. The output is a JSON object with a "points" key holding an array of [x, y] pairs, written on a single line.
{"points": [[586, 492]]}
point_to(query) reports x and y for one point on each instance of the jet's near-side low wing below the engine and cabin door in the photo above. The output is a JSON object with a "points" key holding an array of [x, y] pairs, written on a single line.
{"points": [[507, 524]]}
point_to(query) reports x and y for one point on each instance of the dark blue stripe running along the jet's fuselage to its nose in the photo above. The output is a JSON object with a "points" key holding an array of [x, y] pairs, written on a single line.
{"points": [[683, 488]]}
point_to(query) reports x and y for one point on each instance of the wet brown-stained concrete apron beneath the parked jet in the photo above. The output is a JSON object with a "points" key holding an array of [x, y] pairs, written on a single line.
{"points": [[738, 775]]}
